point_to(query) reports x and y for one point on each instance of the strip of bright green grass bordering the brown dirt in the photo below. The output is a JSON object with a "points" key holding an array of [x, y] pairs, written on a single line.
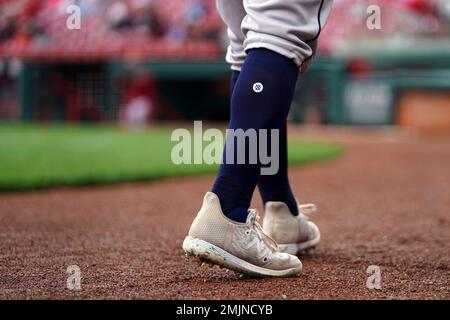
{"points": [[33, 157]]}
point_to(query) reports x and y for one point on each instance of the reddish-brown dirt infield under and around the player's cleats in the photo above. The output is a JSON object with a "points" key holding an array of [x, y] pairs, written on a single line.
{"points": [[385, 203]]}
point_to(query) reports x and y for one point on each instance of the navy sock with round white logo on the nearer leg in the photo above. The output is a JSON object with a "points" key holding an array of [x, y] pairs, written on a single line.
{"points": [[253, 108]]}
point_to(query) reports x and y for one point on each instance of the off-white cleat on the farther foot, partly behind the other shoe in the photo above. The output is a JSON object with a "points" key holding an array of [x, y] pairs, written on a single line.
{"points": [[294, 234]]}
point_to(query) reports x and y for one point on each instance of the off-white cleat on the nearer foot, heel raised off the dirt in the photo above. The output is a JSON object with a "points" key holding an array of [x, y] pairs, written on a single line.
{"points": [[241, 247]]}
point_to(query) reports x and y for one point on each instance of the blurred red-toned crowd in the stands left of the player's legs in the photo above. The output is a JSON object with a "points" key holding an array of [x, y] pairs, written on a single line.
{"points": [[175, 20]]}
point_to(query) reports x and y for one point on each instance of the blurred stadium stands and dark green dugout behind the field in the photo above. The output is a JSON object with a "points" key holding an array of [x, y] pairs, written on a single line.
{"points": [[140, 61]]}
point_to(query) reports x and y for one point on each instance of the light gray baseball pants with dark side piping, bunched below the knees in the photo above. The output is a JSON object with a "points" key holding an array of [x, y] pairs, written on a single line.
{"points": [[288, 27]]}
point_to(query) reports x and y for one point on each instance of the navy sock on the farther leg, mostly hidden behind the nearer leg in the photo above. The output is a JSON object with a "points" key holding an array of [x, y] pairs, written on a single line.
{"points": [[273, 187]]}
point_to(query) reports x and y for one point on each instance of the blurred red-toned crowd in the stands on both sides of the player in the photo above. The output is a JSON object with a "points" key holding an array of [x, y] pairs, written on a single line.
{"points": [[41, 21]]}
